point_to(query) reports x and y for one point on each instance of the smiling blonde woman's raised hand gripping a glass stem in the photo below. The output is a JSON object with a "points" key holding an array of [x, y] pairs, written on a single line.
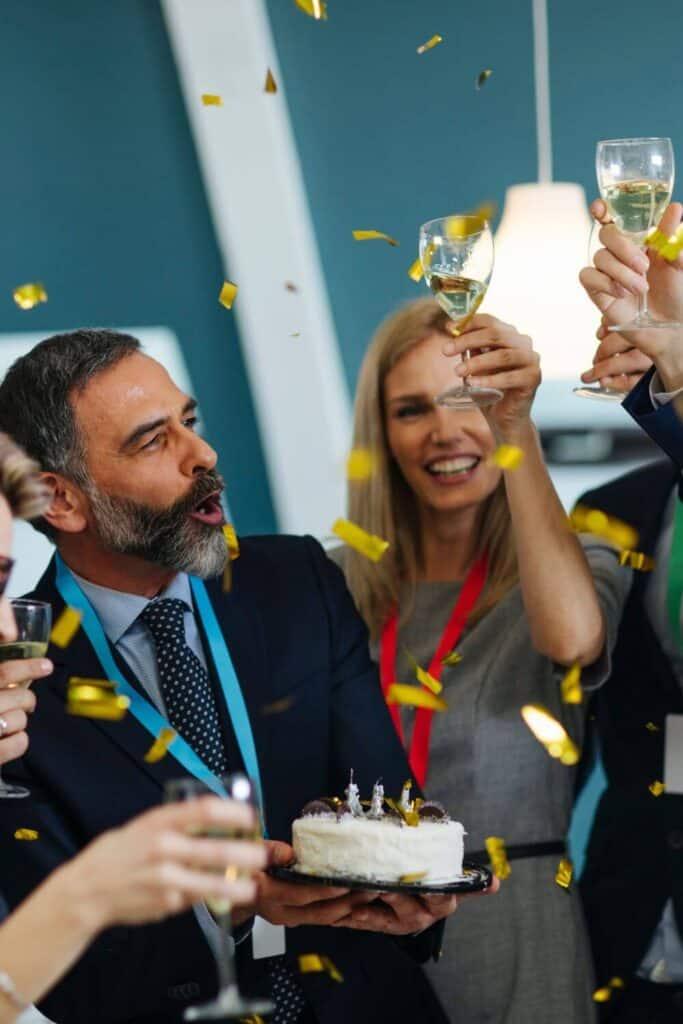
{"points": [[503, 359]]}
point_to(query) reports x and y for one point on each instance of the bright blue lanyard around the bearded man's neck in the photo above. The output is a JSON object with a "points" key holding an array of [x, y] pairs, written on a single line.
{"points": [[143, 710]]}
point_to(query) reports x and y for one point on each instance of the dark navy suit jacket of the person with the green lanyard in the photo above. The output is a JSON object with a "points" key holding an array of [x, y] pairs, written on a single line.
{"points": [[635, 856]]}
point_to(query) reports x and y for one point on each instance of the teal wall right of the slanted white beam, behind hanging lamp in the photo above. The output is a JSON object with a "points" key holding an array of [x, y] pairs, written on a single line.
{"points": [[389, 139]]}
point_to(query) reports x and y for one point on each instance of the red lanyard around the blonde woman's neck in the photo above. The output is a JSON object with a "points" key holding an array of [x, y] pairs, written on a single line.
{"points": [[419, 752]]}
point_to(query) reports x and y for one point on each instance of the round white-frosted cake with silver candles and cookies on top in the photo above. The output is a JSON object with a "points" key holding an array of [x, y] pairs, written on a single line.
{"points": [[406, 841]]}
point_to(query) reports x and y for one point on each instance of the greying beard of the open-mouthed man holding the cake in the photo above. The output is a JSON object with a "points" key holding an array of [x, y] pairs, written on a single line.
{"points": [[167, 538]]}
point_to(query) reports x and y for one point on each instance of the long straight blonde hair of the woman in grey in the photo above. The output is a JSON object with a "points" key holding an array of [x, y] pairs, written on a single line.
{"points": [[387, 506]]}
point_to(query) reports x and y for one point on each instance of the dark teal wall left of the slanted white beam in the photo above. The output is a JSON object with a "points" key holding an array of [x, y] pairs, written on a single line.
{"points": [[102, 200]]}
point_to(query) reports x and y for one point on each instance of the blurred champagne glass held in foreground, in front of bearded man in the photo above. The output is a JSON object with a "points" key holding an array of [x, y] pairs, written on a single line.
{"points": [[230, 1003]]}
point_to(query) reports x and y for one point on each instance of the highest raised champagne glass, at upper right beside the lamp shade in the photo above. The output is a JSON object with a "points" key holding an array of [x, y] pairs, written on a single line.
{"points": [[636, 180]]}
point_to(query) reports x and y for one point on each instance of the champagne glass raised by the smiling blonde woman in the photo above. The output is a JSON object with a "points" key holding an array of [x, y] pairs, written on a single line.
{"points": [[457, 257]]}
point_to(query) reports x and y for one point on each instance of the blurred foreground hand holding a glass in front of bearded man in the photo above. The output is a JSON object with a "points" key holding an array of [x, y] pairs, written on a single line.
{"points": [[159, 865]]}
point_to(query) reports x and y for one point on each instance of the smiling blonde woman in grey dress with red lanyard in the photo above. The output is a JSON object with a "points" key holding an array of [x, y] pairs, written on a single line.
{"points": [[483, 561]]}
